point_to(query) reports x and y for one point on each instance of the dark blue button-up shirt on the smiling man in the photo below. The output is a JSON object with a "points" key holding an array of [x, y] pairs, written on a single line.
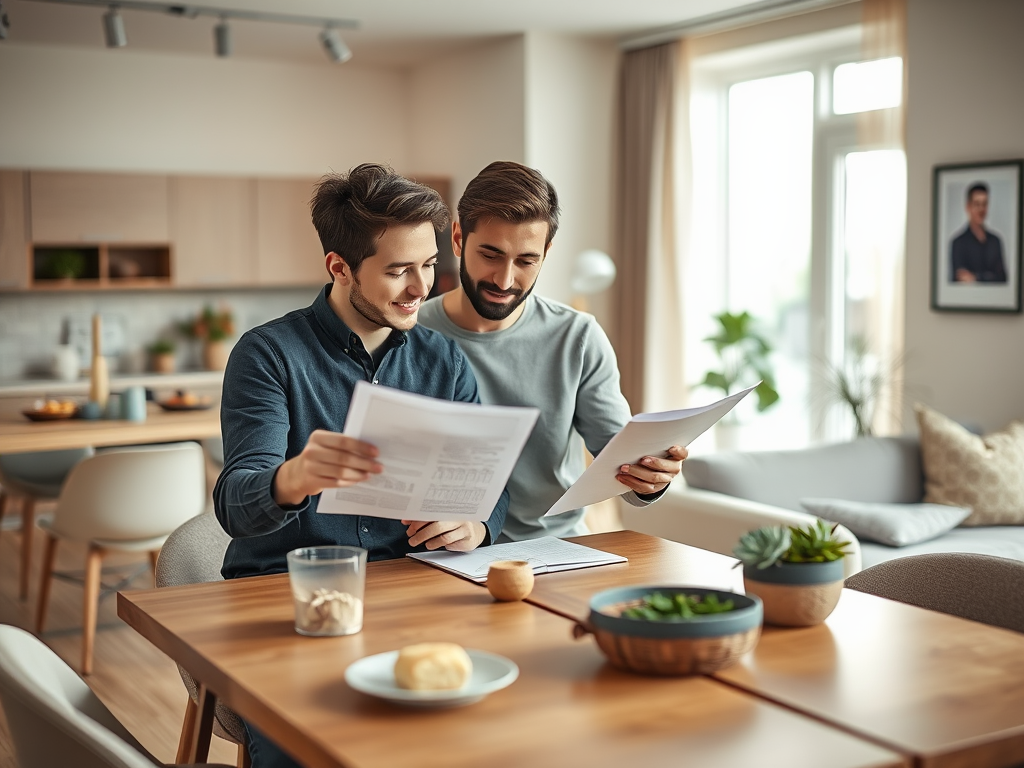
{"points": [[295, 375]]}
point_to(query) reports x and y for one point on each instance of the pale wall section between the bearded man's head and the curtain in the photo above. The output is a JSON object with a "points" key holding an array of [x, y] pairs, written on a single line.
{"points": [[571, 91]]}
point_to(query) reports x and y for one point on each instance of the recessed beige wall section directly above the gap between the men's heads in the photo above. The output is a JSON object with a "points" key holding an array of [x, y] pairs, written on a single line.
{"points": [[467, 111]]}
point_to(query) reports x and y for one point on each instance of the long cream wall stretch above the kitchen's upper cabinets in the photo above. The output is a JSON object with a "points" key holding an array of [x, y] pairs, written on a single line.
{"points": [[123, 110]]}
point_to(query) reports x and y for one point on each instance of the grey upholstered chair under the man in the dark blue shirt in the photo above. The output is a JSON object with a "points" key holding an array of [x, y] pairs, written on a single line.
{"points": [[194, 554]]}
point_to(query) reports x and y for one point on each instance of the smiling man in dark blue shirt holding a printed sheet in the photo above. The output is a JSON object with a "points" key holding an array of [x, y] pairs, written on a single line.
{"points": [[289, 383]]}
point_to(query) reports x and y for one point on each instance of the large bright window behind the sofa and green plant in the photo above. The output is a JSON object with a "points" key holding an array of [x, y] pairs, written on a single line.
{"points": [[798, 221]]}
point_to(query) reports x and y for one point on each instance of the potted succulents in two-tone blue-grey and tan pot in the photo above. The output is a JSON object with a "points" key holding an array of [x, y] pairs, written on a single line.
{"points": [[796, 572]]}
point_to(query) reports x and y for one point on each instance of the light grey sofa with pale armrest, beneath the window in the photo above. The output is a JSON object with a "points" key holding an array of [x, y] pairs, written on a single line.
{"points": [[729, 493]]}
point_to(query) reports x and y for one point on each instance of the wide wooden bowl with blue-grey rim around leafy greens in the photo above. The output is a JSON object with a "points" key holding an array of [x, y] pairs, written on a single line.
{"points": [[694, 647]]}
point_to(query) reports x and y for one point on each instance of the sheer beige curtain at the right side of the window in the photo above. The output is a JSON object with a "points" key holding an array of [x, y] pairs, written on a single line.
{"points": [[885, 36]]}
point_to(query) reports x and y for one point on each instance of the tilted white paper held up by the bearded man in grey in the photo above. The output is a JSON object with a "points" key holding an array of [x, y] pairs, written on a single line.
{"points": [[645, 435]]}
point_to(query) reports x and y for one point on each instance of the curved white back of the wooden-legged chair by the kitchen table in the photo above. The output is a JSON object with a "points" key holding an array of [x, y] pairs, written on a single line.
{"points": [[133, 494]]}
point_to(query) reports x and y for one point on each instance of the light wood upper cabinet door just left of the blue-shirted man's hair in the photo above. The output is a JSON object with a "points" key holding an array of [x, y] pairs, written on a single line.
{"points": [[288, 249]]}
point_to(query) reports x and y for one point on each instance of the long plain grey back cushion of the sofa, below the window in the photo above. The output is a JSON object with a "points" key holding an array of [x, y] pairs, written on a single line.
{"points": [[870, 470]]}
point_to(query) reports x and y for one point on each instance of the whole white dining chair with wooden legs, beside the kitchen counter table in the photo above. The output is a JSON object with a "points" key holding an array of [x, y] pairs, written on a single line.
{"points": [[127, 500]]}
